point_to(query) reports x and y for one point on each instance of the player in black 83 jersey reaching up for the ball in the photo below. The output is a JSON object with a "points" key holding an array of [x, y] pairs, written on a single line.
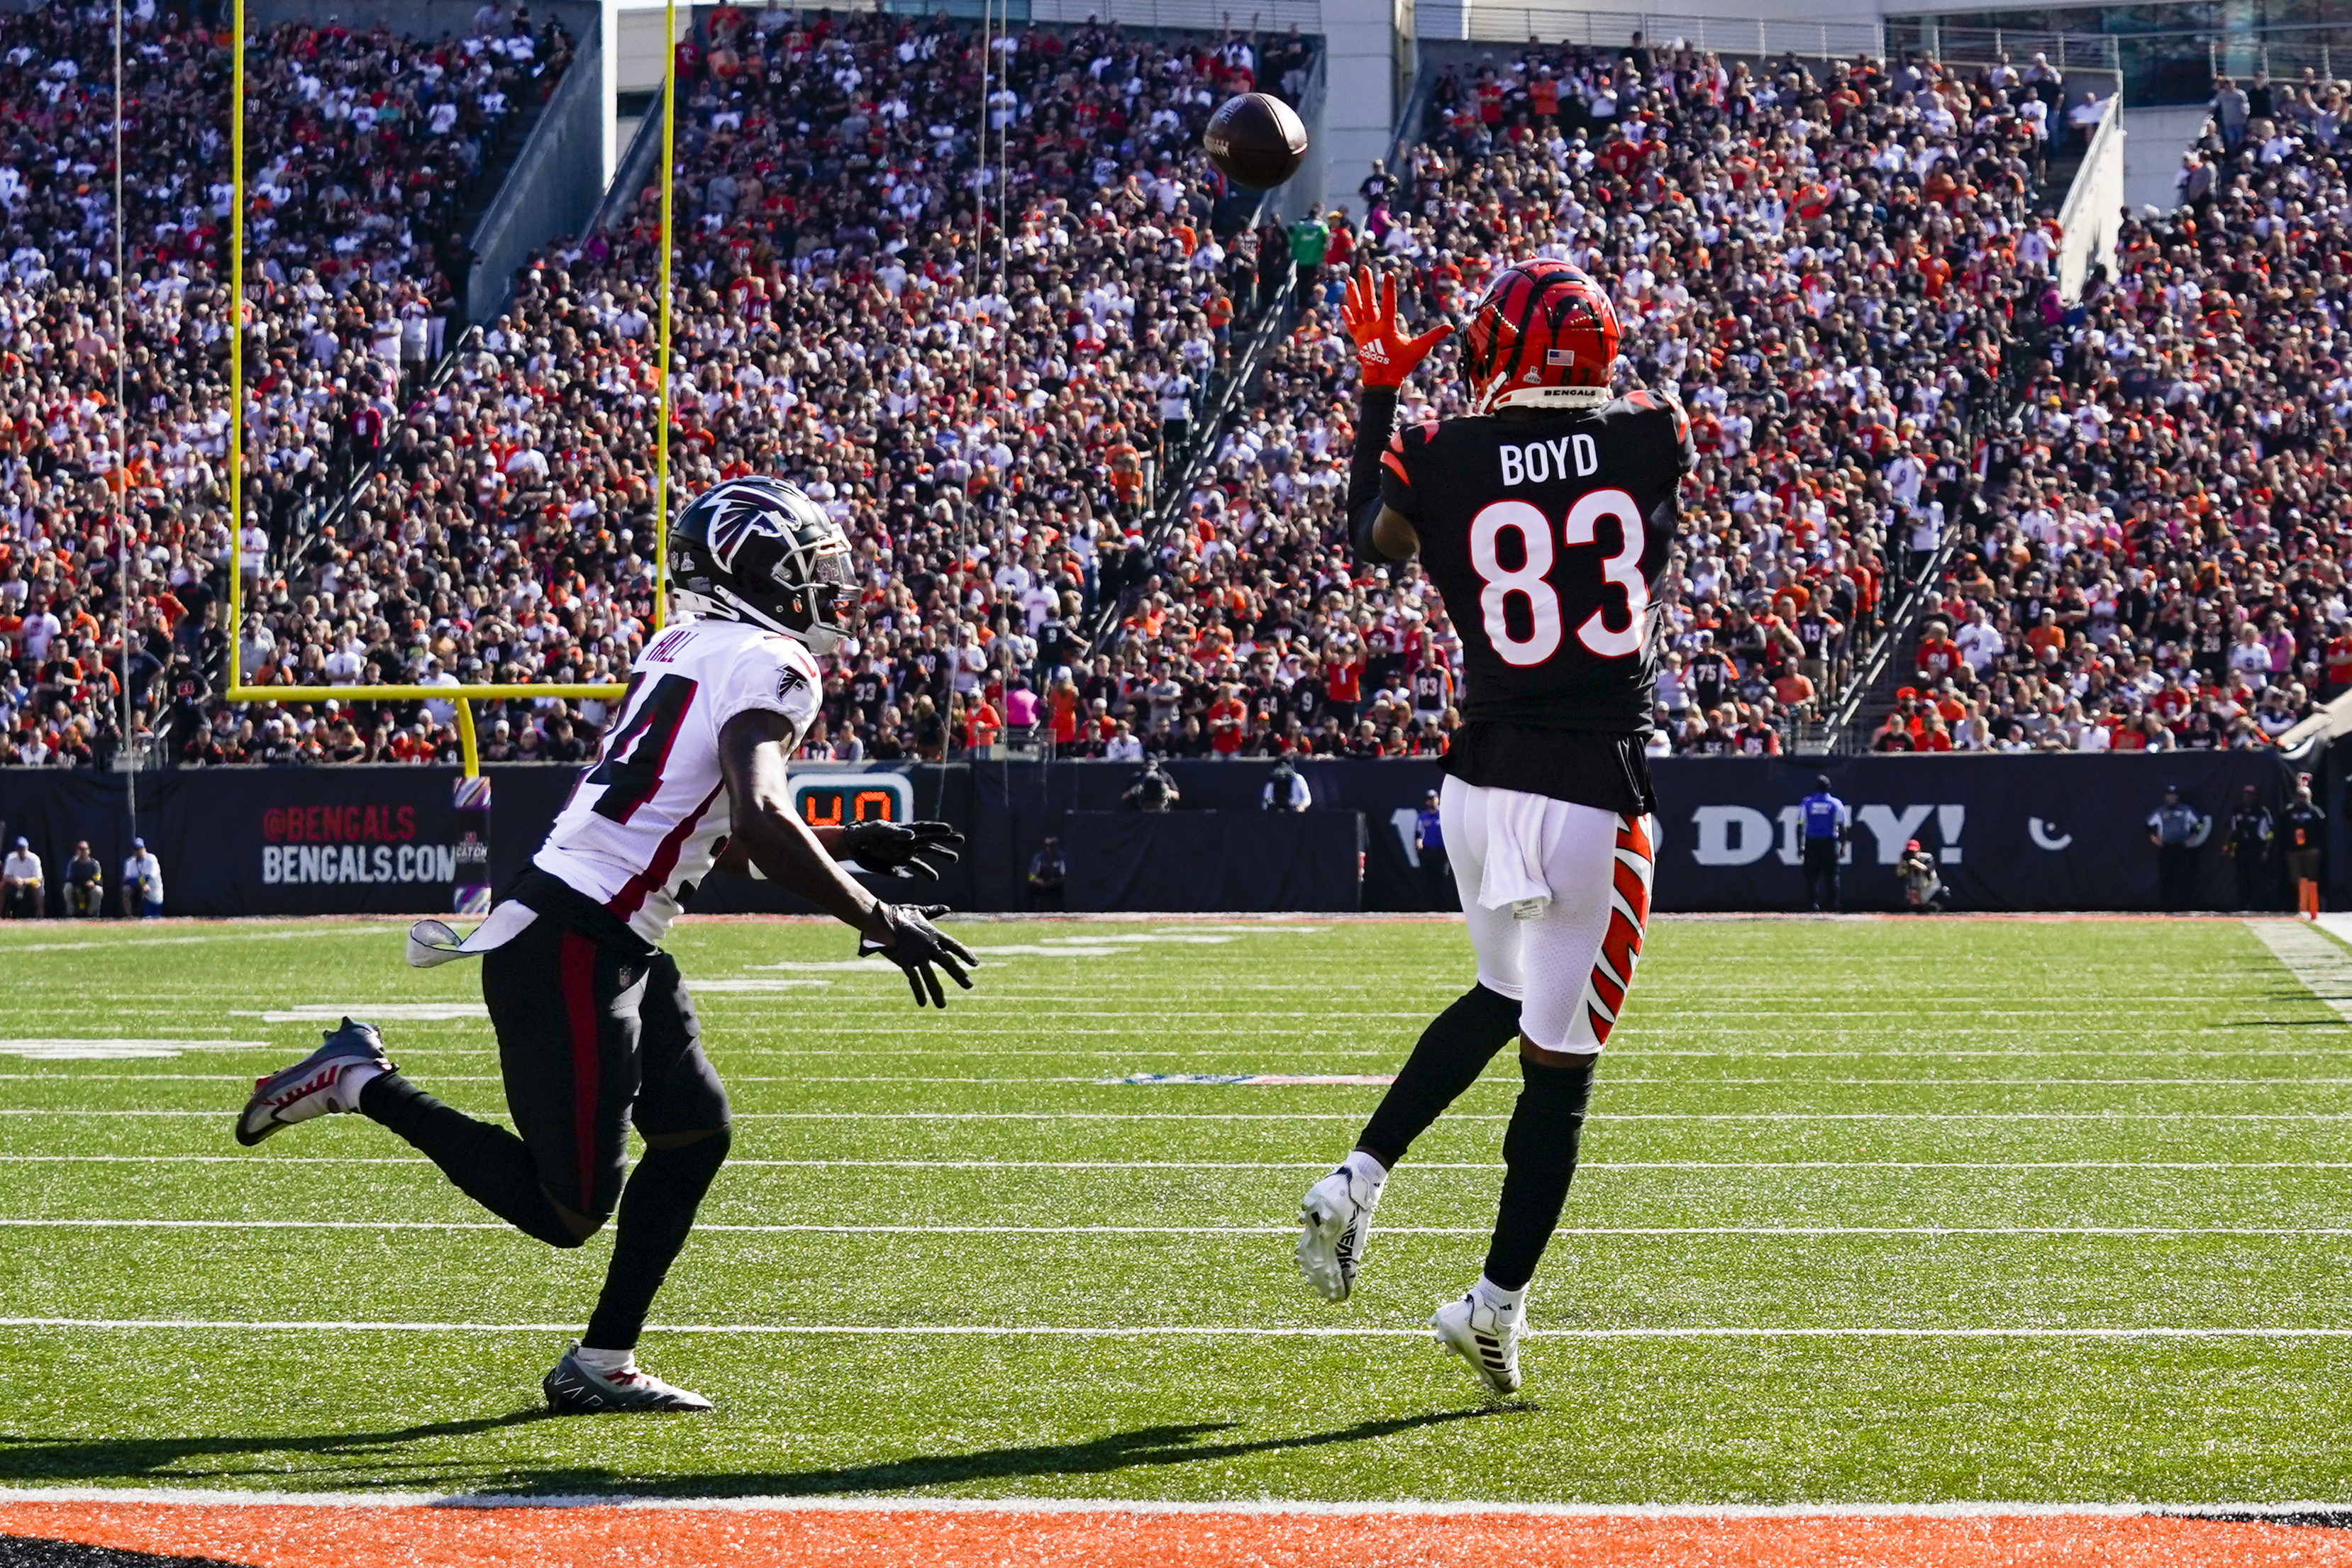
{"points": [[1544, 518]]}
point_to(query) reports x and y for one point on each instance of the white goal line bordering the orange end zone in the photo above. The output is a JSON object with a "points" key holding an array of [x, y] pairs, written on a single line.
{"points": [[916, 1503]]}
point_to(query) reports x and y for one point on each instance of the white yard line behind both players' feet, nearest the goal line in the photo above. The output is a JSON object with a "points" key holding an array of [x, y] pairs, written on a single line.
{"points": [[1180, 1332]]}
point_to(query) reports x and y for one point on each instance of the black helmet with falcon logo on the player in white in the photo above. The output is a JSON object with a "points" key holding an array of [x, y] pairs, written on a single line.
{"points": [[761, 551]]}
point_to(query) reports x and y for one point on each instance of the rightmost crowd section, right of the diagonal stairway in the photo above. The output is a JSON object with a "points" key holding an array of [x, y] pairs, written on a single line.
{"points": [[2172, 568]]}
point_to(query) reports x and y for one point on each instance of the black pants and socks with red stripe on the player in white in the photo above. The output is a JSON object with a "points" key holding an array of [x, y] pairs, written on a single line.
{"points": [[596, 1036]]}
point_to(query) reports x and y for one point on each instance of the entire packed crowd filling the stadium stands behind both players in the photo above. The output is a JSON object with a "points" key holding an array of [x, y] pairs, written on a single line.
{"points": [[996, 356]]}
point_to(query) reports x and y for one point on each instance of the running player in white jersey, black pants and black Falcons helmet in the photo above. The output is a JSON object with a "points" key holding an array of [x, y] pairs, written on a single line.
{"points": [[596, 1031]]}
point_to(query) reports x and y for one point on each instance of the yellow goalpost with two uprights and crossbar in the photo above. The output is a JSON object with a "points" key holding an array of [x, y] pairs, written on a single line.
{"points": [[467, 695]]}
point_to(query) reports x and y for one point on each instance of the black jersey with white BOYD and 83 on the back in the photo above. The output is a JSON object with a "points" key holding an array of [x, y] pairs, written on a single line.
{"points": [[1546, 537]]}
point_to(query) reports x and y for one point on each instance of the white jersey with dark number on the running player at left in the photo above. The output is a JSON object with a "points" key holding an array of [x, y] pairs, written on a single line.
{"points": [[646, 817]]}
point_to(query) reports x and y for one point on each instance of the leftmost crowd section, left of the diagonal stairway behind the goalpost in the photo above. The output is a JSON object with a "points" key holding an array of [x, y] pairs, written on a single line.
{"points": [[368, 154]]}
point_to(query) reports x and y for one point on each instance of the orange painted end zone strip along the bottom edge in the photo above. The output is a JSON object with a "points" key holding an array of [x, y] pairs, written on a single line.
{"points": [[309, 1536]]}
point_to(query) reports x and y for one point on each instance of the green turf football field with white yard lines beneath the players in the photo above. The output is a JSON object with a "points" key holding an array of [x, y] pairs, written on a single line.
{"points": [[1871, 1212]]}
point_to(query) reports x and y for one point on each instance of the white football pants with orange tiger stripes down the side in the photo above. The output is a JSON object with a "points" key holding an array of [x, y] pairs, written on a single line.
{"points": [[1558, 904]]}
